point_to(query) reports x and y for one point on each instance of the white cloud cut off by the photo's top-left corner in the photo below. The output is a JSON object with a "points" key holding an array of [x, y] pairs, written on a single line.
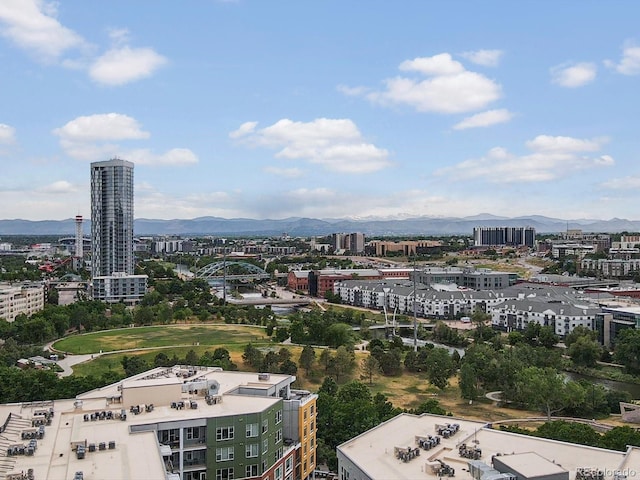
{"points": [[31, 24]]}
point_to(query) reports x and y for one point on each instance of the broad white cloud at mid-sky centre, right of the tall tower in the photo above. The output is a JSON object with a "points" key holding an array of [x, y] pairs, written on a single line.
{"points": [[336, 144]]}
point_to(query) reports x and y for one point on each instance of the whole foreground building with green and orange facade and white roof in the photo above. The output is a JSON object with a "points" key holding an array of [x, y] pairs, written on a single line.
{"points": [[175, 423]]}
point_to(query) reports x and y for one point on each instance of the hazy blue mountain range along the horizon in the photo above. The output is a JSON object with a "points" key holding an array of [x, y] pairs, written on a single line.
{"points": [[299, 226]]}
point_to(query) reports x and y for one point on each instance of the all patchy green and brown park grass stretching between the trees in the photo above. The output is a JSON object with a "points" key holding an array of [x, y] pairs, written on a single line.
{"points": [[406, 391]]}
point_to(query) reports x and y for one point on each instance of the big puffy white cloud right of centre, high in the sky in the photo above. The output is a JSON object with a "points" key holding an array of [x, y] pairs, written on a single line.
{"points": [[450, 88]]}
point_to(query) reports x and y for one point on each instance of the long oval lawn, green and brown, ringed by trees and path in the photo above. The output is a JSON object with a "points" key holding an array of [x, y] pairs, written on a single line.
{"points": [[206, 336]]}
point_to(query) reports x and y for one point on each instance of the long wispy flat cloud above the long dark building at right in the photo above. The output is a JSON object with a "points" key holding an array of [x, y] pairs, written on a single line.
{"points": [[550, 158]]}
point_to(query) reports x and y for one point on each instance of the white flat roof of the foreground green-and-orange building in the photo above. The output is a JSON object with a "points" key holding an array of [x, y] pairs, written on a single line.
{"points": [[115, 423]]}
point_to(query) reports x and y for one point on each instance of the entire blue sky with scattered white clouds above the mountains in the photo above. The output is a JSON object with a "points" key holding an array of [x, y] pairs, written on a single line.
{"points": [[325, 109]]}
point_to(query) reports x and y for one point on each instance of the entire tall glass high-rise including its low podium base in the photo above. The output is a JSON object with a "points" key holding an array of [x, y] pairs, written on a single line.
{"points": [[112, 246]]}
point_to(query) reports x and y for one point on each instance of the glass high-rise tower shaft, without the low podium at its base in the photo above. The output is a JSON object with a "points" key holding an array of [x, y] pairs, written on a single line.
{"points": [[112, 218]]}
